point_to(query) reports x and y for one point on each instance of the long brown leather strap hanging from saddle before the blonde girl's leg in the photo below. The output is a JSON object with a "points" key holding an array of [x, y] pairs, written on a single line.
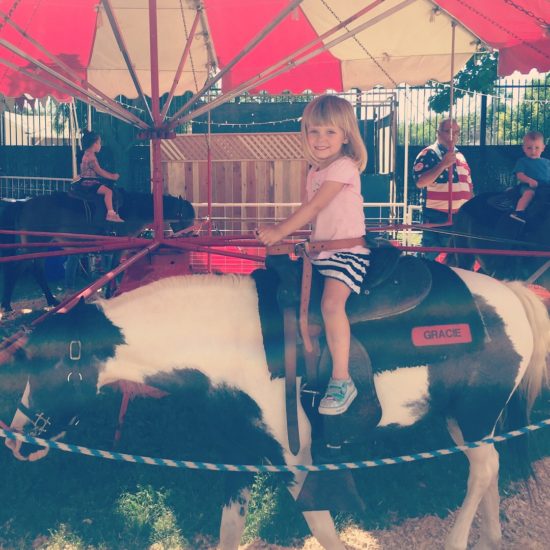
{"points": [[290, 325]]}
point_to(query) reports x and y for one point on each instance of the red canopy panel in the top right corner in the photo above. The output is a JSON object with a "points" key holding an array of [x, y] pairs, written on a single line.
{"points": [[518, 29]]}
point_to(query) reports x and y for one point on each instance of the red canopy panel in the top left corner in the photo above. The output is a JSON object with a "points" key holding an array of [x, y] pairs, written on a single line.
{"points": [[66, 29]]}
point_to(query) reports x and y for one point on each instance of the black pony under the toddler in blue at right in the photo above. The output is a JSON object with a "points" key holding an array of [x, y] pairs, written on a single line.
{"points": [[484, 222]]}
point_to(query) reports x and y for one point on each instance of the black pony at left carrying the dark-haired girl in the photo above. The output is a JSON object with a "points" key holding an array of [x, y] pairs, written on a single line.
{"points": [[63, 213]]}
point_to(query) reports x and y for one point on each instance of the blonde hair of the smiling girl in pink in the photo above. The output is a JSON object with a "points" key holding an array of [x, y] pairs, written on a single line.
{"points": [[331, 110]]}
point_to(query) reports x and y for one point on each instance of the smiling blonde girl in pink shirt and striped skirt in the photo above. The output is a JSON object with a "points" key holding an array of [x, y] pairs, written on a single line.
{"points": [[333, 146]]}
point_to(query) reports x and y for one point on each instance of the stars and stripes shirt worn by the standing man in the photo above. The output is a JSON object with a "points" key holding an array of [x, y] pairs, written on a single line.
{"points": [[437, 195]]}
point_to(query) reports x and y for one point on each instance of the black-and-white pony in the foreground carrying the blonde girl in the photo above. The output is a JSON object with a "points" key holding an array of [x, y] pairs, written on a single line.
{"points": [[197, 340]]}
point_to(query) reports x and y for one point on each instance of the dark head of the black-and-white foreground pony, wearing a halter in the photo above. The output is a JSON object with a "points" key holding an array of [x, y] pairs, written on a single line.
{"points": [[61, 360]]}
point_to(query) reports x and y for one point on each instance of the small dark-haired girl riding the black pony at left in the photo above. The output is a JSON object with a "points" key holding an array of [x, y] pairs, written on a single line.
{"points": [[92, 176]]}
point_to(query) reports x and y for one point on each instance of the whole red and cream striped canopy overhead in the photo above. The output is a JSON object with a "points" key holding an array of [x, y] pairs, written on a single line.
{"points": [[85, 47]]}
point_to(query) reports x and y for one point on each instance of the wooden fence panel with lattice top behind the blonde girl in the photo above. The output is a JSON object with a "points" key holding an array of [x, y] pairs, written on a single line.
{"points": [[254, 177]]}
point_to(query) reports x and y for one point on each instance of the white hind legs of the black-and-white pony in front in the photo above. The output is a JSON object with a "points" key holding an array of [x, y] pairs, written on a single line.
{"points": [[482, 489]]}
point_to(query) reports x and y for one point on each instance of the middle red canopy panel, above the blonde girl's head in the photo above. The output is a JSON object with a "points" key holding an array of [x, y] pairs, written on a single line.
{"points": [[234, 26]]}
